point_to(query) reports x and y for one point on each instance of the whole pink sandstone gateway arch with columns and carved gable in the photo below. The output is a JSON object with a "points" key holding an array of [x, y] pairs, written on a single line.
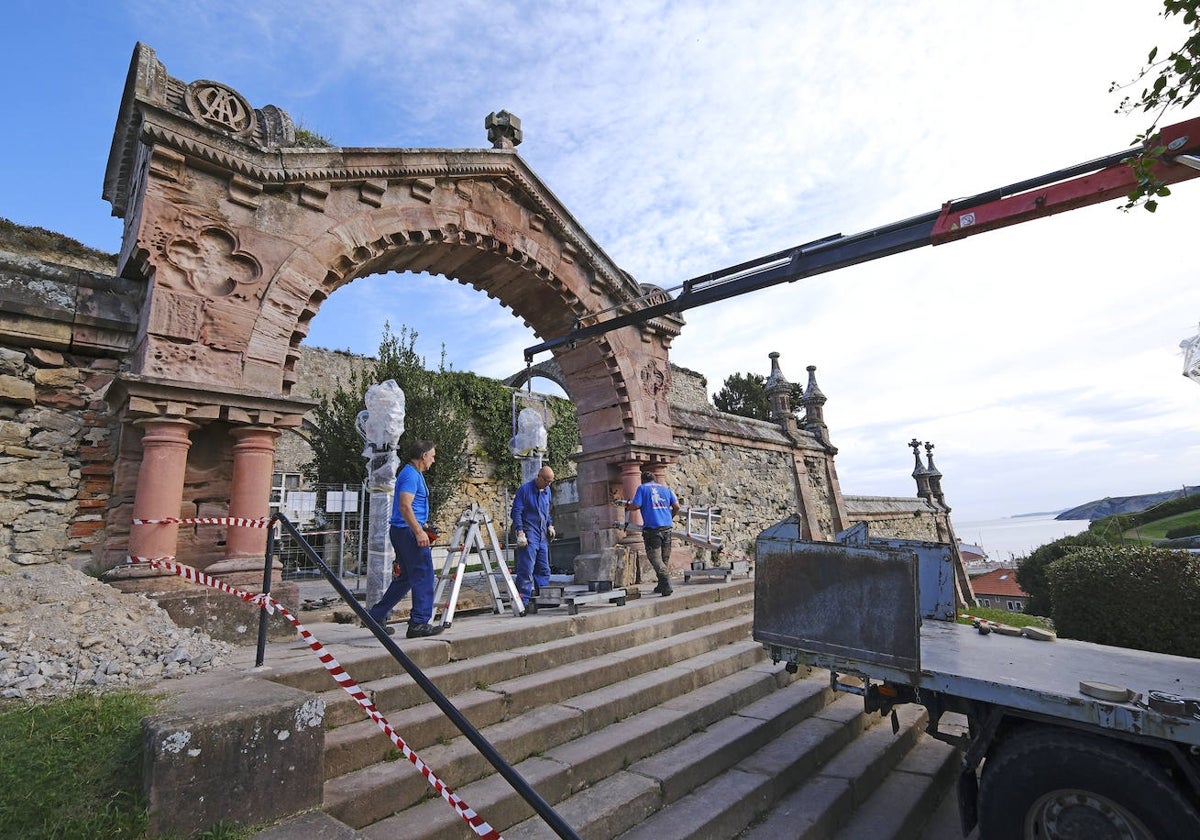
{"points": [[241, 236]]}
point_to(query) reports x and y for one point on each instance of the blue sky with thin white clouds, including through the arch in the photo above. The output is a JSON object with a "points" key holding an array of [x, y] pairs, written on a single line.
{"points": [[1043, 361]]}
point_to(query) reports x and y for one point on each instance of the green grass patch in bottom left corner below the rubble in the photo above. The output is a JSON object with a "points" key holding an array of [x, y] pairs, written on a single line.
{"points": [[73, 767]]}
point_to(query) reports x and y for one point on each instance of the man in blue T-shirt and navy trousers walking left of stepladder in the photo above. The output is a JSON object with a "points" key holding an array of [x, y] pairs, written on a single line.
{"points": [[415, 560]]}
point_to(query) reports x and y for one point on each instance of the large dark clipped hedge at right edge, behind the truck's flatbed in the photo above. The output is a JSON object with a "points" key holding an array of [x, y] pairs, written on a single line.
{"points": [[1132, 597]]}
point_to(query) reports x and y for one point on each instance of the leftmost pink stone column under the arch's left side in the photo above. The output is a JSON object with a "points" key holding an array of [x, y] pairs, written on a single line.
{"points": [[160, 491]]}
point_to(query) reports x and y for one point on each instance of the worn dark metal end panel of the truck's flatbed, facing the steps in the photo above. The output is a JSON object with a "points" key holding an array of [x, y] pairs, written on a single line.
{"points": [[853, 602]]}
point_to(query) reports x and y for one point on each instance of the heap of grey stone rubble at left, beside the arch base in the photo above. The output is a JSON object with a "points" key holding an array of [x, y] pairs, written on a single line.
{"points": [[63, 632]]}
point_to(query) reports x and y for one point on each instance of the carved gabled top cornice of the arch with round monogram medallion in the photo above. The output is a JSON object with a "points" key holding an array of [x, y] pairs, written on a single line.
{"points": [[208, 125]]}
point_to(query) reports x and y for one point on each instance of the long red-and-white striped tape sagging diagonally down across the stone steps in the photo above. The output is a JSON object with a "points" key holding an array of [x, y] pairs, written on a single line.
{"points": [[339, 674]]}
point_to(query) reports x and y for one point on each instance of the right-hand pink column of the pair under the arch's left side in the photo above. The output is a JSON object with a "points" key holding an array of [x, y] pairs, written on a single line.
{"points": [[254, 464]]}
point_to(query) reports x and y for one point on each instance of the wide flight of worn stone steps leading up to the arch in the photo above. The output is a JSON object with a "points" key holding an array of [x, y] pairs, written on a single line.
{"points": [[655, 721]]}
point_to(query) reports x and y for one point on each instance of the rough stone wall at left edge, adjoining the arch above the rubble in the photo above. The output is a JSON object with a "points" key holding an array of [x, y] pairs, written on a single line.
{"points": [[64, 327]]}
